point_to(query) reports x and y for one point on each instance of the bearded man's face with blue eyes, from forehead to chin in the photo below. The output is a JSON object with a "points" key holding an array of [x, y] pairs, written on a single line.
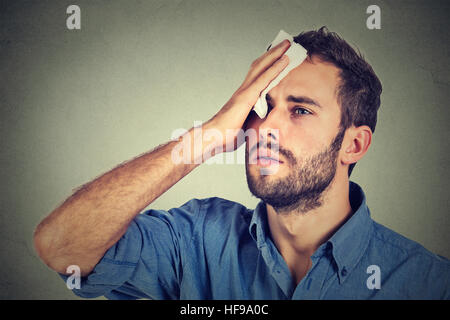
{"points": [[305, 114]]}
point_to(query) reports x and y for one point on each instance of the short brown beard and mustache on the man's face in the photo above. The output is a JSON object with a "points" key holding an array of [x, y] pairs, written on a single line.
{"points": [[303, 188]]}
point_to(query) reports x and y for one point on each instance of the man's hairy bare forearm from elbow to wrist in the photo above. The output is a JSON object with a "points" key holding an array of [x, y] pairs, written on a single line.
{"points": [[98, 214]]}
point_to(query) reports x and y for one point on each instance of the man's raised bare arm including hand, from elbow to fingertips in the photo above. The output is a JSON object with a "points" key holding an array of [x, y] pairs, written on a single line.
{"points": [[96, 216]]}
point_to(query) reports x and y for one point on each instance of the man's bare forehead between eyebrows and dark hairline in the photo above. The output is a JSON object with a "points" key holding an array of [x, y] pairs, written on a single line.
{"points": [[313, 78]]}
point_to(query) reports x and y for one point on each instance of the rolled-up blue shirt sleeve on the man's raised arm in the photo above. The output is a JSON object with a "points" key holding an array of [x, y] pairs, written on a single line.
{"points": [[147, 261]]}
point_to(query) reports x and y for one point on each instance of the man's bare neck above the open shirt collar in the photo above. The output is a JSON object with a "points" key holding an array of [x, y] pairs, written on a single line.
{"points": [[298, 235]]}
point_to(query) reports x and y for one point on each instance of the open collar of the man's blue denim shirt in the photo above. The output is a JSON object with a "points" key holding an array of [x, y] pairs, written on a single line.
{"points": [[348, 243]]}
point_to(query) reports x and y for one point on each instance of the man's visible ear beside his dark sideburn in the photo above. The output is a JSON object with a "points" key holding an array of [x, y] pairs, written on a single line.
{"points": [[356, 143]]}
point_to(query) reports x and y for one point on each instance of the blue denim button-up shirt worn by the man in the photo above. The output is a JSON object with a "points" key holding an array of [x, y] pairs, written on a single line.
{"points": [[218, 249]]}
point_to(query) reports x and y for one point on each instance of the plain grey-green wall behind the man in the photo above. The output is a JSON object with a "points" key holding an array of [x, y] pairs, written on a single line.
{"points": [[74, 104]]}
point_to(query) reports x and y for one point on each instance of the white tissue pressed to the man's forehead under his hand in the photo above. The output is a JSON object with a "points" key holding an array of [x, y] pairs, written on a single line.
{"points": [[296, 53]]}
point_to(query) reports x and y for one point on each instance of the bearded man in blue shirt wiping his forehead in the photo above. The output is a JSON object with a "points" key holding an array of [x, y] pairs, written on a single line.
{"points": [[310, 237]]}
